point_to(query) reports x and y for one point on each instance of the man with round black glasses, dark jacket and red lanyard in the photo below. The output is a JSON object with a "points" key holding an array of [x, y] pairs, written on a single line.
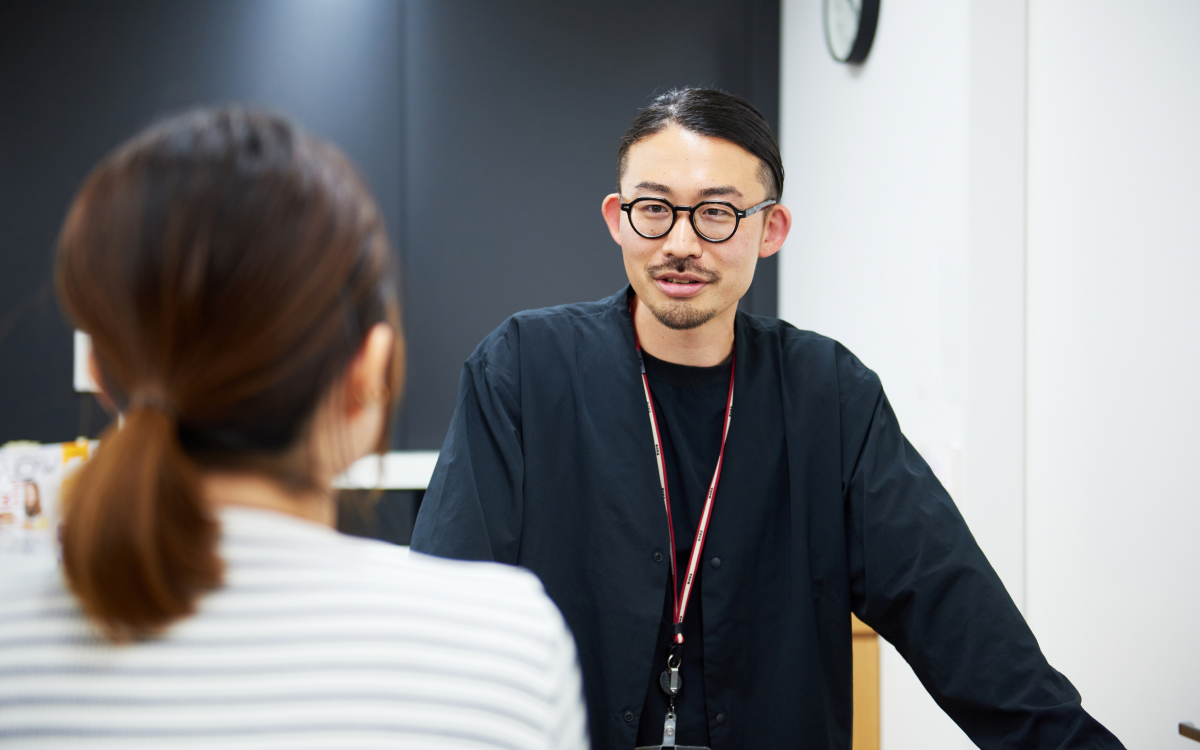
{"points": [[709, 495]]}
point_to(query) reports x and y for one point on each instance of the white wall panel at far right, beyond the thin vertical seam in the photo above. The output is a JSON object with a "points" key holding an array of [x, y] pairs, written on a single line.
{"points": [[1114, 350]]}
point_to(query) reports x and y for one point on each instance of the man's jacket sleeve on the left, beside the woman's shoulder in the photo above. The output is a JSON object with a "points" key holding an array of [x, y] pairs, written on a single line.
{"points": [[472, 509]]}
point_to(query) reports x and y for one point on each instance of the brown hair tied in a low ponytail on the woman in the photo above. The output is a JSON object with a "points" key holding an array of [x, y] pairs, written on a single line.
{"points": [[229, 268]]}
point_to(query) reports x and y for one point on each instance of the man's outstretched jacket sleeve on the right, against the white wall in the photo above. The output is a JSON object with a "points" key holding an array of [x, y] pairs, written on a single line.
{"points": [[921, 581]]}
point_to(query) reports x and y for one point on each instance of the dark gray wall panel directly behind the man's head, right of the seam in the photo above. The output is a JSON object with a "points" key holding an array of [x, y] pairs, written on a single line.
{"points": [[515, 111]]}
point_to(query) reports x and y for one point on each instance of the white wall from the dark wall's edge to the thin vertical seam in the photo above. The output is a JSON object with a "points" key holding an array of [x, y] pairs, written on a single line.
{"points": [[907, 179]]}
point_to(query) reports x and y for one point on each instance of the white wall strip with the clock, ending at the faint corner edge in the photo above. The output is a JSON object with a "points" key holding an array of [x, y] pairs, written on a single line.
{"points": [[875, 163]]}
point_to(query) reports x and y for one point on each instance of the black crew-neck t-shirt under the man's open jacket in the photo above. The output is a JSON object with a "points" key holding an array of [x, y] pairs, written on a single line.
{"points": [[689, 405]]}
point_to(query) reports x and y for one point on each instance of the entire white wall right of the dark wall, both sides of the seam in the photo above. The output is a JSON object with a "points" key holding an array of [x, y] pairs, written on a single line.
{"points": [[998, 214]]}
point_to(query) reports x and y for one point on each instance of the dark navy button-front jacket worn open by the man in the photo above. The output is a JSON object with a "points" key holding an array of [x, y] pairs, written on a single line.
{"points": [[549, 464]]}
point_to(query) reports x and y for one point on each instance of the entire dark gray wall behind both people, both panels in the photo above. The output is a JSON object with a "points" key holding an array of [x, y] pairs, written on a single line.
{"points": [[488, 131]]}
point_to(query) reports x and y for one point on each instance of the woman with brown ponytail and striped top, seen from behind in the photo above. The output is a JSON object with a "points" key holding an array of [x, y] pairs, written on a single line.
{"points": [[235, 277]]}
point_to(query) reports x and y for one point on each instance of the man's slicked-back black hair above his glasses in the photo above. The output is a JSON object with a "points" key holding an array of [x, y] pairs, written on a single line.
{"points": [[716, 115]]}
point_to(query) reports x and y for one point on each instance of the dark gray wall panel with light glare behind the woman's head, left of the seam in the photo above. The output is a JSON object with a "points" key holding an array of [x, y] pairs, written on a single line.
{"points": [[77, 79]]}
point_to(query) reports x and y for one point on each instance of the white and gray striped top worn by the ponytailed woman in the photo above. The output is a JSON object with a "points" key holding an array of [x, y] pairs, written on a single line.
{"points": [[317, 640]]}
